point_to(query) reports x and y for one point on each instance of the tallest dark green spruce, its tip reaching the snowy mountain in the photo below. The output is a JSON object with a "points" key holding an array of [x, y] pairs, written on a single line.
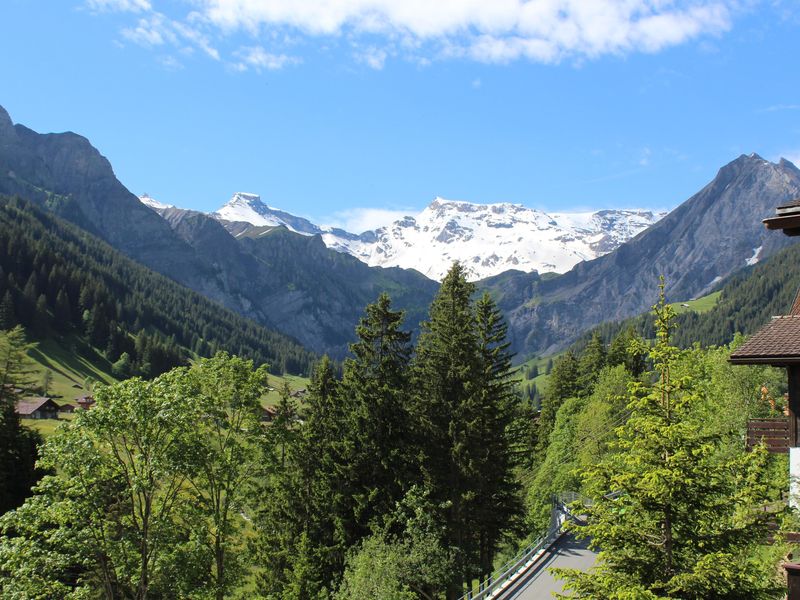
{"points": [[456, 377]]}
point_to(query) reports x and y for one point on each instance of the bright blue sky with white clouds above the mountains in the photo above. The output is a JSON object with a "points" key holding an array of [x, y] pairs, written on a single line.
{"points": [[348, 110]]}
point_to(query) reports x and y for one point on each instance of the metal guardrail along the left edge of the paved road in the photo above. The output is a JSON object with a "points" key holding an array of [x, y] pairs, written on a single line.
{"points": [[508, 572]]}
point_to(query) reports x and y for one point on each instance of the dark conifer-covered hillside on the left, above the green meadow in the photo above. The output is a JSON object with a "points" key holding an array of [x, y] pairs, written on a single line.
{"points": [[56, 278]]}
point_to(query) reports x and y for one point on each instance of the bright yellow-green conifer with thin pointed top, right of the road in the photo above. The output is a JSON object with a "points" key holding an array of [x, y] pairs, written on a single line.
{"points": [[684, 519]]}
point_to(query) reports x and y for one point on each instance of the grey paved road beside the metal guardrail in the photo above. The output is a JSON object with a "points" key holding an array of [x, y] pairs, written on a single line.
{"points": [[538, 583]]}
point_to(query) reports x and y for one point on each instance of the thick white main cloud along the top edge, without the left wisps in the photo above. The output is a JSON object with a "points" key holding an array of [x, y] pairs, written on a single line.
{"points": [[491, 31]]}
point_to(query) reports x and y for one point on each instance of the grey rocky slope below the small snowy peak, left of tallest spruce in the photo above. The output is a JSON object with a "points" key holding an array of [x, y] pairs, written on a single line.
{"points": [[303, 288]]}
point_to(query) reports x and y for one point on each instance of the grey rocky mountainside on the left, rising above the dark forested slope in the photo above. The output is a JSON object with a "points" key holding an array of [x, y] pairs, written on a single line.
{"points": [[64, 173]]}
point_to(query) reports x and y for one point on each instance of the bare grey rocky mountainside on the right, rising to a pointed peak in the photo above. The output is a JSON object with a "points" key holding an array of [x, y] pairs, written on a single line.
{"points": [[712, 235]]}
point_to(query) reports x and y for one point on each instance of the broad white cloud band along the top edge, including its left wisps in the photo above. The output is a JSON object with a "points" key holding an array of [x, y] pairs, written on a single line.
{"points": [[497, 31]]}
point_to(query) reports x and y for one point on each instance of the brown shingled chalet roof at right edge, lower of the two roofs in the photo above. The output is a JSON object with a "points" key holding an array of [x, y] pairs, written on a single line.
{"points": [[777, 343]]}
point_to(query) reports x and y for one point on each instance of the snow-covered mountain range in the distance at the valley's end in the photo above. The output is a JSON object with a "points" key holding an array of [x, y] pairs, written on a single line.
{"points": [[487, 238]]}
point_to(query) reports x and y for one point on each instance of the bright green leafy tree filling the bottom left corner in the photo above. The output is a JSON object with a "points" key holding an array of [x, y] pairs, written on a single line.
{"points": [[114, 502]]}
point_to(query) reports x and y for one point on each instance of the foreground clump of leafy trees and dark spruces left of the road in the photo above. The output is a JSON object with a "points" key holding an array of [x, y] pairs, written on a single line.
{"points": [[181, 490]]}
